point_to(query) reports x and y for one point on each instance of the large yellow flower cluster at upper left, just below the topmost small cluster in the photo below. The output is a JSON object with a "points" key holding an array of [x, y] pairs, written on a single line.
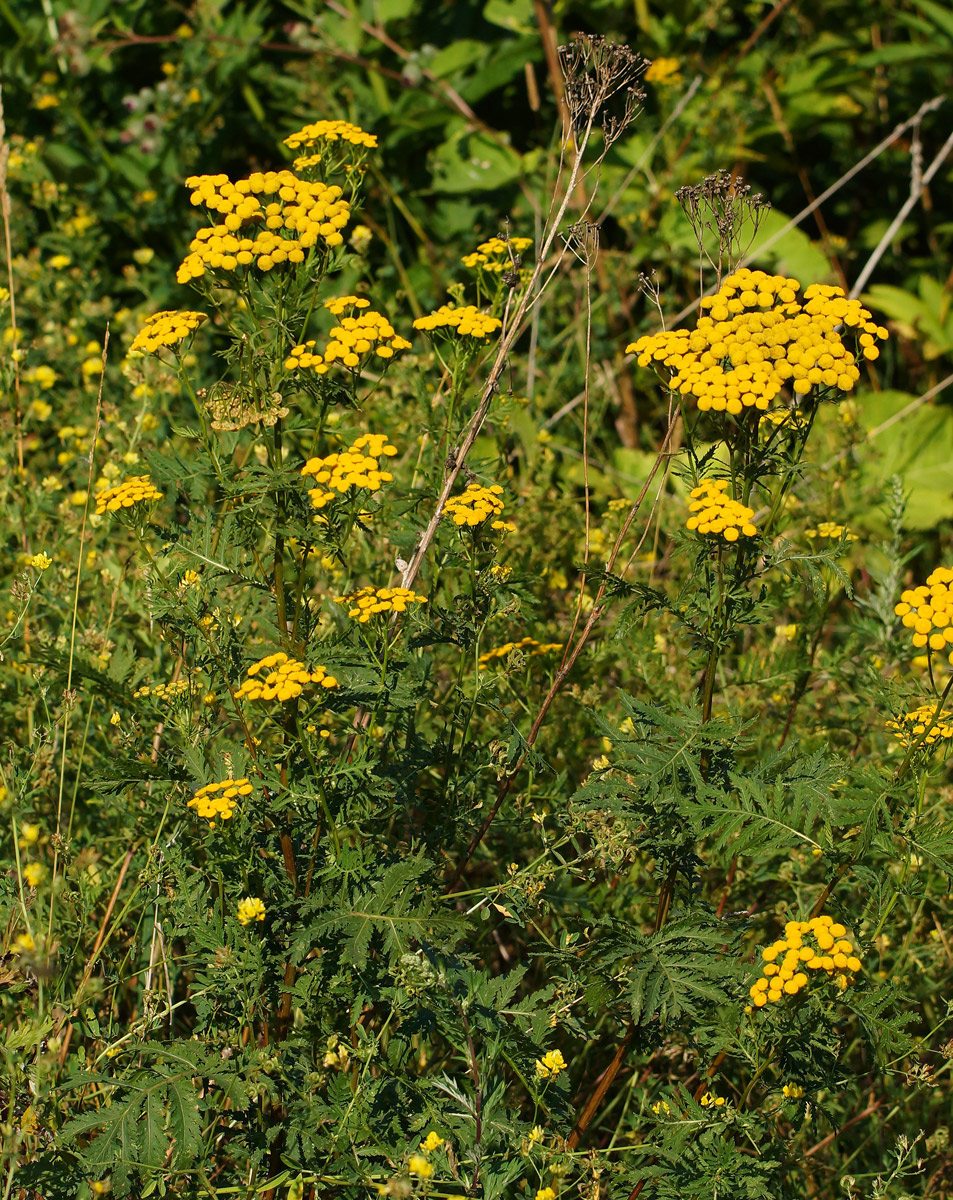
{"points": [[295, 221]]}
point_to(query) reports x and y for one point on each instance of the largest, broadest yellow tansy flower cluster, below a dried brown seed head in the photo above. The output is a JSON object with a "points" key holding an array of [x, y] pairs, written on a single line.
{"points": [[756, 337]]}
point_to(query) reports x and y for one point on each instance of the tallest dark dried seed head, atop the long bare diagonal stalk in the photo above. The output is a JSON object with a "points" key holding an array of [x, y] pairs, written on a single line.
{"points": [[597, 73]]}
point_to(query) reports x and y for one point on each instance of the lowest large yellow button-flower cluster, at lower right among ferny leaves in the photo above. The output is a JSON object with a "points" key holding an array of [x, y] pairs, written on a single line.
{"points": [[788, 962]]}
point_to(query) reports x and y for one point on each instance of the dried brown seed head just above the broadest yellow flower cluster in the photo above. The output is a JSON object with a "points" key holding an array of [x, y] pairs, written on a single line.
{"points": [[720, 209]]}
